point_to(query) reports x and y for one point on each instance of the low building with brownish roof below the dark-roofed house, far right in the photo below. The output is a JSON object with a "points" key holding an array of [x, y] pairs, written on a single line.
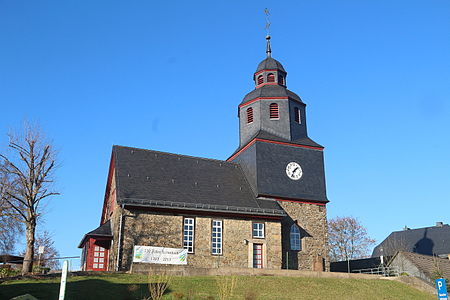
{"points": [[425, 267]]}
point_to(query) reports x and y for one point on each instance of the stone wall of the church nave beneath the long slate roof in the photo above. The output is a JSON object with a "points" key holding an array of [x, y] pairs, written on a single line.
{"points": [[165, 230]]}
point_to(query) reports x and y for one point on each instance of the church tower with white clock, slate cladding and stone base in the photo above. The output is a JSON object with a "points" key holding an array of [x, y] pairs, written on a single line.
{"points": [[282, 163]]}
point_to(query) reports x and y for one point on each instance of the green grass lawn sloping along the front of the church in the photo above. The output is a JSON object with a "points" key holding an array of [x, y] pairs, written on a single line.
{"points": [[133, 286]]}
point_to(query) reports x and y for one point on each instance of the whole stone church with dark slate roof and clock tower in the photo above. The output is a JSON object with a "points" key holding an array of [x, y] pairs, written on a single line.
{"points": [[263, 207]]}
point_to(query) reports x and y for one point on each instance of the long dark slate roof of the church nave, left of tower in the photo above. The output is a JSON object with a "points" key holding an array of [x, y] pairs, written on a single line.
{"points": [[158, 179]]}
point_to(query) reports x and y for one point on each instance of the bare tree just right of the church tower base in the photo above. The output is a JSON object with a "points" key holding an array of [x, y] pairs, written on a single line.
{"points": [[348, 239]]}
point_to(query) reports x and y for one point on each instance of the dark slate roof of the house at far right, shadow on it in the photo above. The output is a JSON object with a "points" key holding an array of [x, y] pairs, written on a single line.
{"points": [[428, 240]]}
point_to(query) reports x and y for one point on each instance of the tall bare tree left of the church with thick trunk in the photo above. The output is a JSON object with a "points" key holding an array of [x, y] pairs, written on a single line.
{"points": [[29, 168]]}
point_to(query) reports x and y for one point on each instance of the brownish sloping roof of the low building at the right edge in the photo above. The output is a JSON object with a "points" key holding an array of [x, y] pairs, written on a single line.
{"points": [[427, 264]]}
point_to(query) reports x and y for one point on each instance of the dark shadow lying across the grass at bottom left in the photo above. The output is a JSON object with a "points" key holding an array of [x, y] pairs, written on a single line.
{"points": [[84, 289]]}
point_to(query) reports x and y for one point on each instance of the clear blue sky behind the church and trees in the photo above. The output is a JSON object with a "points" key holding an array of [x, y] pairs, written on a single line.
{"points": [[168, 76]]}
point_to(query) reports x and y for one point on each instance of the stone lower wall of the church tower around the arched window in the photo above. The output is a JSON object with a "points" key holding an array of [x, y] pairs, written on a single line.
{"points": [[312, 220]]}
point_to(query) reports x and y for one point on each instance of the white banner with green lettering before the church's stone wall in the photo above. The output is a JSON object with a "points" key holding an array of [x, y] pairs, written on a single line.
{"points": [[160, 255]]}
